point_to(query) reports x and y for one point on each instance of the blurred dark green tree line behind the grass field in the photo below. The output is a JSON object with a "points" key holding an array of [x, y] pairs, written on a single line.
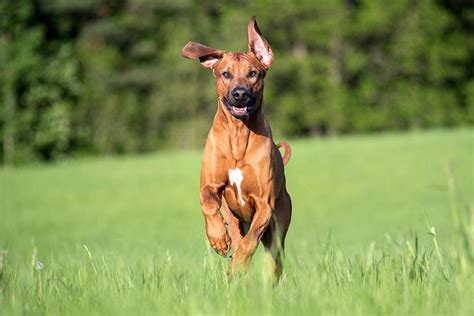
{"points": [[106, 76]]}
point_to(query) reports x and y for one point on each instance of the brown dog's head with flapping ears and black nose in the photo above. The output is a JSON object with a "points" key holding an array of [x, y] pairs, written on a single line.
{"points": [[238, 76]]}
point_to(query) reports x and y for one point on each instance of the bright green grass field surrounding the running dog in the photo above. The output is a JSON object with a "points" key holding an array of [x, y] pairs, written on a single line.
{"points": [[125, 235]]}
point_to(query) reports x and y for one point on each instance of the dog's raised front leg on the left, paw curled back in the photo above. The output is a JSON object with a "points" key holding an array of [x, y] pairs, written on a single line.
{"points": [[215, 227]]}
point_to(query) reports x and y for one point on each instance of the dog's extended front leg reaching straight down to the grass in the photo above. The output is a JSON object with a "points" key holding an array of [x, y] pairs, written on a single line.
{"points": [[249, 242]]}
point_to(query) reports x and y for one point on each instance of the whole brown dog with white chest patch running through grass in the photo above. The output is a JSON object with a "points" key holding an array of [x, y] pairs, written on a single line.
{"points": [[242, 176]]}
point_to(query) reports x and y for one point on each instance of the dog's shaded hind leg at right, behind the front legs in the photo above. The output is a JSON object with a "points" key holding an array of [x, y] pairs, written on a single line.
{"points": [[274, 237]]}
